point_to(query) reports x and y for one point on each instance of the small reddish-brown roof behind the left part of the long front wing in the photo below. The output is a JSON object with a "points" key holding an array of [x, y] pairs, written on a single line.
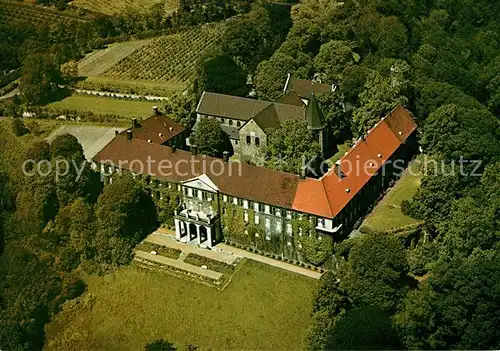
{"points": [[157, 128]]}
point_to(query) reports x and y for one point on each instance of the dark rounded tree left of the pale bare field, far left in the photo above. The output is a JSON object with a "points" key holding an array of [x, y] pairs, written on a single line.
{"points": [[39, 79]]}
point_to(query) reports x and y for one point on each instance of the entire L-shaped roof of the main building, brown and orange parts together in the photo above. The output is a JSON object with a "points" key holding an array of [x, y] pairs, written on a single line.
{"points": [[324, 197]]}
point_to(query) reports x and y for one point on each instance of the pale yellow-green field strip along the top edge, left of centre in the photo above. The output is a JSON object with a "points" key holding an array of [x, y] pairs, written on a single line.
{"points": [[112, 7]]}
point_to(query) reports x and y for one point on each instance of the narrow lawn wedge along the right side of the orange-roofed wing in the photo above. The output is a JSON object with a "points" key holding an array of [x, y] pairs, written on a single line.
{"points": [[387, 214]]}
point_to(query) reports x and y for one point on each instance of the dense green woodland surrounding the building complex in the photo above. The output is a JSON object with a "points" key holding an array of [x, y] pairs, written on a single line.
{"points": [[439, 58]]}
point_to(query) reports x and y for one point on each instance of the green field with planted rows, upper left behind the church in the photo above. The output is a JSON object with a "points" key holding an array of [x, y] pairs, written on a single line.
{"points": [[169, 59]]}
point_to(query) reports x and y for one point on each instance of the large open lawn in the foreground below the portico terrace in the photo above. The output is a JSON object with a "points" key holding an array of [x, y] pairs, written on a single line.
{"points": [[264, 308]]}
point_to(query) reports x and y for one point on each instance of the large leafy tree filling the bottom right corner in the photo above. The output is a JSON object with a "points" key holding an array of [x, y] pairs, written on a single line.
{"points": [[456, 307]]}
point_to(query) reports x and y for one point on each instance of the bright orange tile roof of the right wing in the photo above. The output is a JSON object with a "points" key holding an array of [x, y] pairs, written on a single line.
{"points": [[358, 165]]}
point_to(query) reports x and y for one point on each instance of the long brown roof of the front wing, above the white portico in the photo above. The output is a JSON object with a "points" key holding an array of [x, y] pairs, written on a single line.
{"points": [[232, 178]]}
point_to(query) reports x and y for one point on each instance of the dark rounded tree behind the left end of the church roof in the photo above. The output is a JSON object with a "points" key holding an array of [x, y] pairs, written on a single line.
{"points": [[220, 74]]}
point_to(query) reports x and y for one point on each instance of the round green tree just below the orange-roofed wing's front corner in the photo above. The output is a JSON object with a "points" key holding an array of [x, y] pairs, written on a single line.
{"points": [[375, 273]]}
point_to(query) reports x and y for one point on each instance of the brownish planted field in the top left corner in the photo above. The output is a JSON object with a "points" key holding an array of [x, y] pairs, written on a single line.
{"points": [[14, 12]]}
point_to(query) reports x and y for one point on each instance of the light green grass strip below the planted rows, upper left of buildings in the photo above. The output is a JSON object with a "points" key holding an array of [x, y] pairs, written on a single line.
{"points": [[102, 105]]}
